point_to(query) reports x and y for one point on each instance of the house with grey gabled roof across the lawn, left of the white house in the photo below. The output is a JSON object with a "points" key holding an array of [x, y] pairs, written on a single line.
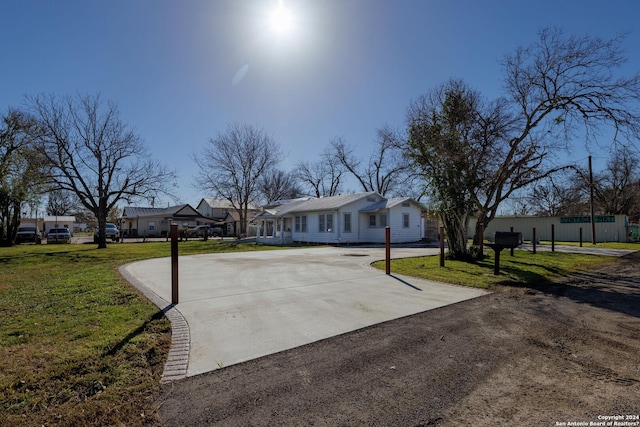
{"points": [[156, 222]]}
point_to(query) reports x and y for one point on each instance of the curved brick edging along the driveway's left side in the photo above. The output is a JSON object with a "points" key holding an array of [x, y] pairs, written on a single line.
{"points": [[177, 362]]}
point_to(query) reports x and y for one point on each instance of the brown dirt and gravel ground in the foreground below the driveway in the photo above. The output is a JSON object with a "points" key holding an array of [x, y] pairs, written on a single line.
{"points": [[564, 352]]}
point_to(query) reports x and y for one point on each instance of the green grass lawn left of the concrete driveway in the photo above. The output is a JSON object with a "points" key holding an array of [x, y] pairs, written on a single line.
{"points": [[78, 344]]}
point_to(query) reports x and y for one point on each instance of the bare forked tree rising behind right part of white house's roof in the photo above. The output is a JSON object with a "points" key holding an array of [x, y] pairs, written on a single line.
{"points": [[387, 170]]}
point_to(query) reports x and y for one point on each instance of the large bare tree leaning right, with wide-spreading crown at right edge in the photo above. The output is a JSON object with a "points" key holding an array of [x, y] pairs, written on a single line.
{"points": [[557, 88]]}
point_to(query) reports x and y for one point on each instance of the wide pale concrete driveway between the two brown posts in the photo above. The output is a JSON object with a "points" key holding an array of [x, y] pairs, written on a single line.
{"points": [[235, 307]]}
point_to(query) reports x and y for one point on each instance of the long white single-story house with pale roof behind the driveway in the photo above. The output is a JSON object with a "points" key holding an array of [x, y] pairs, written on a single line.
{"points": [[350, 218]]}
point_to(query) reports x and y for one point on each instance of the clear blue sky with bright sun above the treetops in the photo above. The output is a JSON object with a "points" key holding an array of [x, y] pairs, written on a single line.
{"points": [[180, 71]]}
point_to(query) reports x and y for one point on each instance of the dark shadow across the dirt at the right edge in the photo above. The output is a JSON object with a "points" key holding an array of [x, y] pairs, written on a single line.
{"points": [[615, 289]]}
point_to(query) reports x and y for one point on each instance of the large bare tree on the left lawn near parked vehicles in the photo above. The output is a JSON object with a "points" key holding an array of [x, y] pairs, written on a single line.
{"points": [[93, 154]]}
